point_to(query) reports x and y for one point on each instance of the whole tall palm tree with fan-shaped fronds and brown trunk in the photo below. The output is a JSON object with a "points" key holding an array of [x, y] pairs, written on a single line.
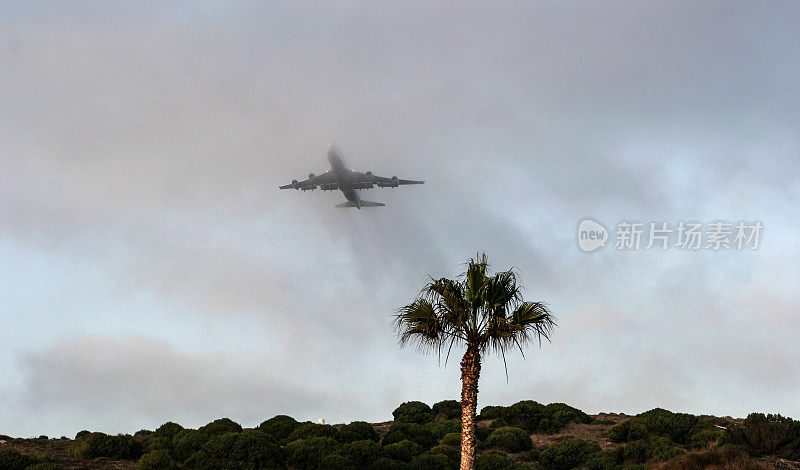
{"points": [[482, 312]]}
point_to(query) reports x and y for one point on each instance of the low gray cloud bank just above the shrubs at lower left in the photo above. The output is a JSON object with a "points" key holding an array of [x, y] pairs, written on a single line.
{"points": [[121, 383]]}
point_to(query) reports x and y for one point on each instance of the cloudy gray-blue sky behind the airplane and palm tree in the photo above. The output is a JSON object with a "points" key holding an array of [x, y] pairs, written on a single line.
{"points": [[150, 269]]}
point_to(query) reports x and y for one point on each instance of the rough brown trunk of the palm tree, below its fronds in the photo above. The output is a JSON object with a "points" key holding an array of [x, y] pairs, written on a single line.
{"points": [[470, 373]]}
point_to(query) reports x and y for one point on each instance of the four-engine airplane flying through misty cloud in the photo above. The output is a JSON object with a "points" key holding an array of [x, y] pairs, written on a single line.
{"points": [[348, 181]]}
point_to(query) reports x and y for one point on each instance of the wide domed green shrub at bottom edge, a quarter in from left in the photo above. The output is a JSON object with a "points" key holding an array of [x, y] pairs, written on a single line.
{"points": [[238, 451]]}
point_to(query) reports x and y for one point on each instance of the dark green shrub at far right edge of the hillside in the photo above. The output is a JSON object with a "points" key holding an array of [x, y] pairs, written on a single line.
{"points": [[762, 434]]}
